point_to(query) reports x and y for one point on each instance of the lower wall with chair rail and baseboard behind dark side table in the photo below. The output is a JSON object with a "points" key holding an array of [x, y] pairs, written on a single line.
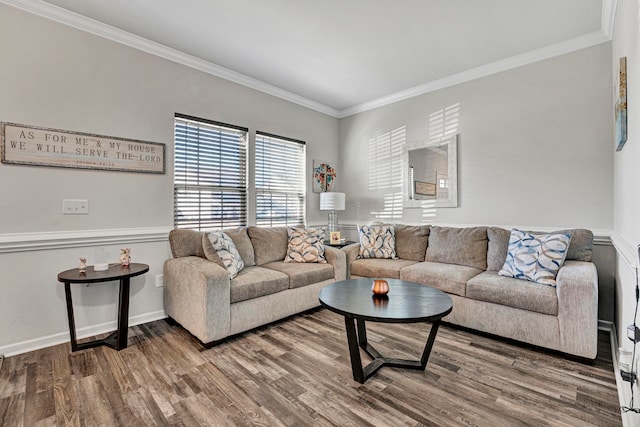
{"points": [[33, 308]]}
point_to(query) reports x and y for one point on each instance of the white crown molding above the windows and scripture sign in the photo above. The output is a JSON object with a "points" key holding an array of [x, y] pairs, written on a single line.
{"points": [[72, 19]]}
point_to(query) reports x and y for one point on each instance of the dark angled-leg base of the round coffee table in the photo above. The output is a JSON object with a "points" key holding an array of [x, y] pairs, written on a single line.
{"points": [[357, 340]]}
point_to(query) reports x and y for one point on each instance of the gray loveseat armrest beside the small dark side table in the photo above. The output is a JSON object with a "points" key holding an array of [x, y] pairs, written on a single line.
{"points": [[197, 294]]}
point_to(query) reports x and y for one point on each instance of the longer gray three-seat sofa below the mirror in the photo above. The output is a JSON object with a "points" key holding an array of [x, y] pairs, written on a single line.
{"points": [[464, 263]]}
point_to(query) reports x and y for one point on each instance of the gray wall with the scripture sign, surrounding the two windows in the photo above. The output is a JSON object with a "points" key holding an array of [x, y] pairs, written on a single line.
{"points": [[60, 77]]}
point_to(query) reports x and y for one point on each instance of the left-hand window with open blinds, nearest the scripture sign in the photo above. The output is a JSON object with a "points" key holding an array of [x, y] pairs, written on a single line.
{"points": [[210, 189]]}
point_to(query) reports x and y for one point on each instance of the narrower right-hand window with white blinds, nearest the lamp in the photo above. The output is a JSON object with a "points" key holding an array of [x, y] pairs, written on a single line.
{"points": [[280, 184]]}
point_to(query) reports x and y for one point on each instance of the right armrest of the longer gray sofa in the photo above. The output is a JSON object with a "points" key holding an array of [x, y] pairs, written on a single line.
{"points": [[577, 290]]}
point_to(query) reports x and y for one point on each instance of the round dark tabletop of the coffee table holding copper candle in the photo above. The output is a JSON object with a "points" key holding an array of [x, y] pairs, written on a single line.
{"points": [[406, 302]]}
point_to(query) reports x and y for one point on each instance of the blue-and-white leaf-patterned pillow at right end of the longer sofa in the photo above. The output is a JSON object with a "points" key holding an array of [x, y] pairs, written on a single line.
{"points": [[535, 257]]}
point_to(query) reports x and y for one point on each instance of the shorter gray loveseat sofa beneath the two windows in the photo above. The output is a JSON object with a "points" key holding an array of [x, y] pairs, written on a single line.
{"points": [[200, 296]]}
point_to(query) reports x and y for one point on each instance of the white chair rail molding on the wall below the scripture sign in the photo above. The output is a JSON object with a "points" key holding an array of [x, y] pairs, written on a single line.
{"points": [[38, 241]]}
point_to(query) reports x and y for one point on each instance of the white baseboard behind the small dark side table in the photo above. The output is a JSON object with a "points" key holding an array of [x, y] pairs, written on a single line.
{"points": [[88, 331]]}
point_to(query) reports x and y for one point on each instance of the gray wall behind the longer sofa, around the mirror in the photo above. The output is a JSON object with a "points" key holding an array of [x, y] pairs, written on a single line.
{"points": [[534, 151]]}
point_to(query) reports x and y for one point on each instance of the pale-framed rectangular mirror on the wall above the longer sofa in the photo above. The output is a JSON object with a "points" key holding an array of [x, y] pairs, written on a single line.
{"points": [[431, 173]]}
